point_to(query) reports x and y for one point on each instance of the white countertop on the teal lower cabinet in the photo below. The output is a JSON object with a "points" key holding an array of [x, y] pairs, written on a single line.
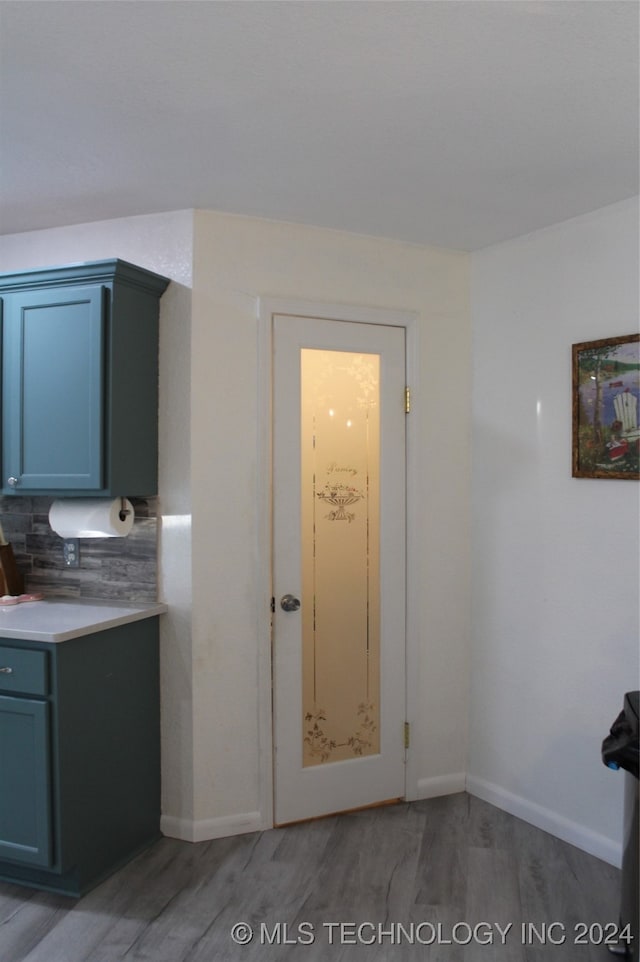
{"points": [[59, 620]]}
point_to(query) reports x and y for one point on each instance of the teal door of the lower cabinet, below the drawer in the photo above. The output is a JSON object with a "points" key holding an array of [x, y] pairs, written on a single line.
{"points": [[25, 788]]}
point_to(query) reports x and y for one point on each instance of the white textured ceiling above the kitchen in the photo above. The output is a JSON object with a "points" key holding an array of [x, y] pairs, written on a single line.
{"points": [[457, 124]]}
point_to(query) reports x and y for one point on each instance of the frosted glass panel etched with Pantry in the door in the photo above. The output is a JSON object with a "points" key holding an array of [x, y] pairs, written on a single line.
{"points": [[340, 550]]}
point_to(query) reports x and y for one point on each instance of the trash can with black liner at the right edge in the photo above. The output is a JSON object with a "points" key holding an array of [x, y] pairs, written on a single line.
{"points": [[620, 749]]}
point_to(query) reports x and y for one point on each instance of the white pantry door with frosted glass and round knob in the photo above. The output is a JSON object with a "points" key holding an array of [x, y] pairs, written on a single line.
{"points": [[339, 532]]}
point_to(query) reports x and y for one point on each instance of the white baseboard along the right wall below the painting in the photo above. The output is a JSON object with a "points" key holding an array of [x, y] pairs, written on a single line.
{"points": [[547, 820]]}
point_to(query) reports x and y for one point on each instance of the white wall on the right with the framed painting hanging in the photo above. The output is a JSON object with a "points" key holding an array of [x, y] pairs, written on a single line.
{"points": [[555, 560]]}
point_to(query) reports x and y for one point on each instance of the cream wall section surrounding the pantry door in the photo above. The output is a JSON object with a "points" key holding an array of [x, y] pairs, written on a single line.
{"points": [[238, 259]]}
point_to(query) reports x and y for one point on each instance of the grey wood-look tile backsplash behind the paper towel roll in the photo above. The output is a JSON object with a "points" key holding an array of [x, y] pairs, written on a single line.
{"points": [[110, 568]]}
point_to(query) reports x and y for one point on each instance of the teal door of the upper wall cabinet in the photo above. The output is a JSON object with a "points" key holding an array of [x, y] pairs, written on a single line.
{"points": [[52, 389]]}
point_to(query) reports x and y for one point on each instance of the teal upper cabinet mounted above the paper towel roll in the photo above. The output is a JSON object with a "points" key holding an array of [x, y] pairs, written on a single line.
{"points": [[80, 380]]}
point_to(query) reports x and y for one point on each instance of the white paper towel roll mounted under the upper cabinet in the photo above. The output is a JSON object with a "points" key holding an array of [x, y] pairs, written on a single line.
{"points": [[91, 517]]}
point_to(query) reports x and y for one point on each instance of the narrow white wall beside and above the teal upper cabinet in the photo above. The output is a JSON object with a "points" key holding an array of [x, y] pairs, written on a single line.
{"points": [[161, 243]]}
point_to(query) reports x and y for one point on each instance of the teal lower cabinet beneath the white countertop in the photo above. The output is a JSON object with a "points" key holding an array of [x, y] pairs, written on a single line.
{"points": [[79, 756]]}
